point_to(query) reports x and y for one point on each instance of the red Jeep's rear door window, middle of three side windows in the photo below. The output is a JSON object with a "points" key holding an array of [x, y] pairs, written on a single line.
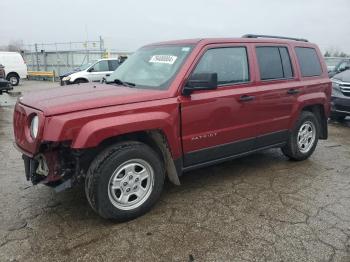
{"points": [[274, 63]]}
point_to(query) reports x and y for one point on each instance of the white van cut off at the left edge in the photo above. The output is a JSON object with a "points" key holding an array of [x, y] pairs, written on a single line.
{"points": [[15, 66]]}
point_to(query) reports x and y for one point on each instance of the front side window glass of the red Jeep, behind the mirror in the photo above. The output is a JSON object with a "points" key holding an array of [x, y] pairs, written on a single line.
{"points": [[230, 63]]}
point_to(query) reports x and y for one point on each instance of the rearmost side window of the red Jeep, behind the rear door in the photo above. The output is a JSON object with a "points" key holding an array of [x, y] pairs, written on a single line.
{"points": [[308, 61]]}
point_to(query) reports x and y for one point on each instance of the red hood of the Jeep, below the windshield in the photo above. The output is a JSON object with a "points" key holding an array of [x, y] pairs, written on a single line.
{"points": [[87, 96]]}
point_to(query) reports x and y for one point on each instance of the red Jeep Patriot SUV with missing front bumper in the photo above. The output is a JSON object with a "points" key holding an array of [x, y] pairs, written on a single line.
{"points": [[170, 108]]}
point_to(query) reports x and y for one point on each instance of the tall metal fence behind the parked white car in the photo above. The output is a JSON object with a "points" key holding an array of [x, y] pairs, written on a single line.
{"points": [[63, 57]]}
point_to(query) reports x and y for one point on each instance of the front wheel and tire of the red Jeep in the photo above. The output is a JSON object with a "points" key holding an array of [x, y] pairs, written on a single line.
{"points": [[124, 181]]}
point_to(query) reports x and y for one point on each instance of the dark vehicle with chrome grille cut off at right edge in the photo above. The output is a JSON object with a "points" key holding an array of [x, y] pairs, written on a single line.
{"points": [[341, 96]]}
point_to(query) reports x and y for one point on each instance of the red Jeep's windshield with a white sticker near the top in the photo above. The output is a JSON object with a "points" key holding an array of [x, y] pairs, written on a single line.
{"points": [[151, 67]]}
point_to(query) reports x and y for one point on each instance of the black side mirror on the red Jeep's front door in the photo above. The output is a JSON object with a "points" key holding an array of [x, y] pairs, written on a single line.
{"points": [[202, 81]]}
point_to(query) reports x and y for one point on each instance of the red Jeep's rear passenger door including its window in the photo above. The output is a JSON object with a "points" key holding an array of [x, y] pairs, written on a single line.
{"points": [[278, 89]]}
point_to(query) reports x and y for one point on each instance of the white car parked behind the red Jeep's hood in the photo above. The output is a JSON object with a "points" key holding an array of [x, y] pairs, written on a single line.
{"points": [[91, 72]]}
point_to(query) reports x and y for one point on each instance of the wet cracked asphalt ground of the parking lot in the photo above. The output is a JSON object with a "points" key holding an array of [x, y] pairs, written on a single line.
{"points": [[258, 208]]}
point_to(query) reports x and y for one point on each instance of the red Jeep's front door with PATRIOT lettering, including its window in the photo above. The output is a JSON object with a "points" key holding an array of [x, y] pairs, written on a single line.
{"points": [[219, 123]]}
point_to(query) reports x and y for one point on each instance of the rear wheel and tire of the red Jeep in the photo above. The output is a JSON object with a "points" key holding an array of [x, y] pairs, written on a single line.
{"points": [[303, 138]]}
